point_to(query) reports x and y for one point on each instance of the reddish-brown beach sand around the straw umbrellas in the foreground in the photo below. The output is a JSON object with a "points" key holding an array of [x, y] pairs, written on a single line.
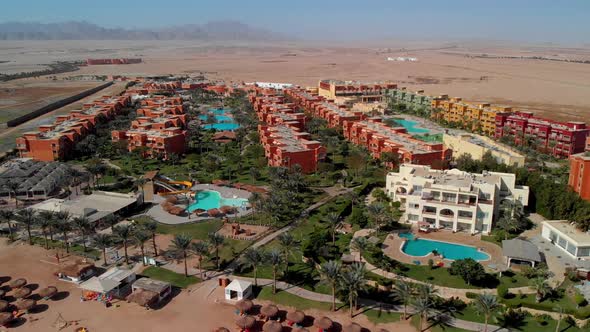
{"points": [[199, 308]]}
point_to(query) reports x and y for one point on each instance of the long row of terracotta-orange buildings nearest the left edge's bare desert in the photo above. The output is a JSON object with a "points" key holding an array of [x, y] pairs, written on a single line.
{"points": [[57, 141]]}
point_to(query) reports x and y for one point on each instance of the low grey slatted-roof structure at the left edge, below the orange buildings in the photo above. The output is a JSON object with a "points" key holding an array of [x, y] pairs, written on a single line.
{"points": [[37, 179]]}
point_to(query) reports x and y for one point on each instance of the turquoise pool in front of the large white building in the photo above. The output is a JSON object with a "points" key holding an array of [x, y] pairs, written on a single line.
{"points": [[453, 251]]}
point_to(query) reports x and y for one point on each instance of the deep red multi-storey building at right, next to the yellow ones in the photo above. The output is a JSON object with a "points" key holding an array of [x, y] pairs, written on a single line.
{"points": [[560, 139]]}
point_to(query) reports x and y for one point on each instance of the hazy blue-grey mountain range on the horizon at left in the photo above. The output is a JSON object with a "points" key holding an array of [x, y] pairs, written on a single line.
{"points": [[76, 30]]}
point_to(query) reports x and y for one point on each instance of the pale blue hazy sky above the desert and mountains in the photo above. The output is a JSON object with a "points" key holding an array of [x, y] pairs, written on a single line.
{"points": [[535, 20]]}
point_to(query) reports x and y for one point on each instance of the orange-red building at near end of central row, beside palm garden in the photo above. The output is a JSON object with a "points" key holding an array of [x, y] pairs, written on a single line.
{"points": [[286, 147]]}
